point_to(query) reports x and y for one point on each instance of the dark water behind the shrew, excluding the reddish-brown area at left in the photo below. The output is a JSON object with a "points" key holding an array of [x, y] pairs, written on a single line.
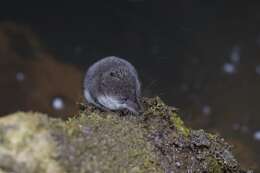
{"points": [[201, 56]]}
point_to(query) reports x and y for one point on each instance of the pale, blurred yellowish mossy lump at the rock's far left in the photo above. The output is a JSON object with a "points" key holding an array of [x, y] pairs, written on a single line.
{"points": [[27, 143]]}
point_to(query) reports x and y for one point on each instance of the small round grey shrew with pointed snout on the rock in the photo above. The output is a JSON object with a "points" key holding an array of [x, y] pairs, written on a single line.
{"points": [[112, 84]]}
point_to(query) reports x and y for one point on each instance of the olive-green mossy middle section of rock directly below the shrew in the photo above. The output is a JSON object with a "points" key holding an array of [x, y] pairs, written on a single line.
{"points": [[111, 144]]}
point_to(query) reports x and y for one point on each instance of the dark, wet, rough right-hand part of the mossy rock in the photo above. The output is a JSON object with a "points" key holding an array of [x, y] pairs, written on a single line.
{"points": [[185, 149]]}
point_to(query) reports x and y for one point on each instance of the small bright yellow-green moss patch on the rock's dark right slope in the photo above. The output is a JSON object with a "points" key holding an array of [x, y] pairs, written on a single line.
{"points": [[179, 125]]}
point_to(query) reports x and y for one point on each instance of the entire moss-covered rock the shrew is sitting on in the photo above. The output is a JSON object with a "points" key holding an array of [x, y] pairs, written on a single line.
{"points": [[98, 141]]}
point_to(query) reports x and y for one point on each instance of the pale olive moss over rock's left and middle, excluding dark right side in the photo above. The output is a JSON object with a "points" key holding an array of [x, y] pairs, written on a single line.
{"points": [[87, 143]]}
